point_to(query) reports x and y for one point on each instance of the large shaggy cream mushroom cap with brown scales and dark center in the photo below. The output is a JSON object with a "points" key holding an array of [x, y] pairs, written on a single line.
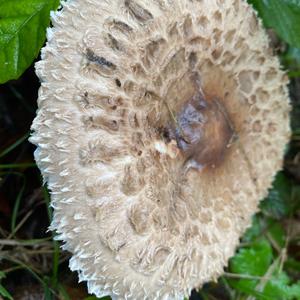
{"points": [[161, 125]]}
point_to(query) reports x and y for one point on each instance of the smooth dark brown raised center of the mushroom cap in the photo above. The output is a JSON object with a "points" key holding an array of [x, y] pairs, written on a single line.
{"points": [[203, 131]]}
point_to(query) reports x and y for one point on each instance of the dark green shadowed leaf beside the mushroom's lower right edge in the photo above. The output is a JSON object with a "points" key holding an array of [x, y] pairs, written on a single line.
{"points": [[278, 203]]}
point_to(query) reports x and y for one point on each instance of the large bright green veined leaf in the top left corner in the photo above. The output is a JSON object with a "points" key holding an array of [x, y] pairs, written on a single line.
{"points": [[23, 26]]}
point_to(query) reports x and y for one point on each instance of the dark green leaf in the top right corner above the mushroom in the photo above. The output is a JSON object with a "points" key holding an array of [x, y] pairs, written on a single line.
{"points": [[283, 16]]}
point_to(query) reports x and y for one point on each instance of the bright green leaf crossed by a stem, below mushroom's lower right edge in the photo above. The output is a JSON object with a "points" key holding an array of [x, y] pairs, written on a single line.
{"points": [[254, 261]]}
